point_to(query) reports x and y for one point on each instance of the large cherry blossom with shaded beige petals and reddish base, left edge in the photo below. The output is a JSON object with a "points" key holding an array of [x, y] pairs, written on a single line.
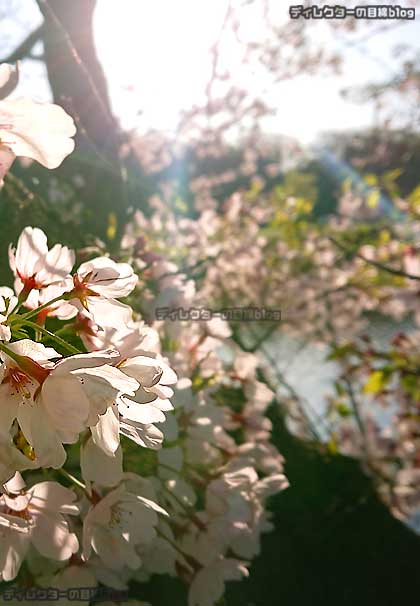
{"points": [[53, 403]]}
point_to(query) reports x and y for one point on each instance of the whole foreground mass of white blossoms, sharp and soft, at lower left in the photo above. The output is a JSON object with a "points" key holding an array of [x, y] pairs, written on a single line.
{"points": [[193, 508]]}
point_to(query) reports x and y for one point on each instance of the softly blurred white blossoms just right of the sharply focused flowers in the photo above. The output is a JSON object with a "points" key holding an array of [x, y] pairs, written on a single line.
{"points": [[218, 465]]}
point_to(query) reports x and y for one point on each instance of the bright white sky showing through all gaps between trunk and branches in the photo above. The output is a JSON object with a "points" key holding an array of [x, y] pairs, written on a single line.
{"points": [[156, 57]]}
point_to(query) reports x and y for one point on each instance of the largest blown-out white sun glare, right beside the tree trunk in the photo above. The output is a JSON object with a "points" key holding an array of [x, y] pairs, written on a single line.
{"points": [[156, 56]]}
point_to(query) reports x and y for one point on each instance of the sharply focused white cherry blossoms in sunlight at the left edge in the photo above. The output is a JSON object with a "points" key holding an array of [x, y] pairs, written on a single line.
{"points": [[48, 401]]}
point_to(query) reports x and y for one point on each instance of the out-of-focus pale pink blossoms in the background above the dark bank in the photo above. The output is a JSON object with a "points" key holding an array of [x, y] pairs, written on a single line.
{"points": [[329, 279]]}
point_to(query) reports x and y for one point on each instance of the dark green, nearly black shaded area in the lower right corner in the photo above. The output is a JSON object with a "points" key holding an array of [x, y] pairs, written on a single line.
{"points": [[333, 542]]}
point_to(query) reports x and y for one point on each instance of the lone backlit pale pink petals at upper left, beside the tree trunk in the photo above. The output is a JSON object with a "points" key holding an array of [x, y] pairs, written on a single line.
{"points": [[41, 131]]}
